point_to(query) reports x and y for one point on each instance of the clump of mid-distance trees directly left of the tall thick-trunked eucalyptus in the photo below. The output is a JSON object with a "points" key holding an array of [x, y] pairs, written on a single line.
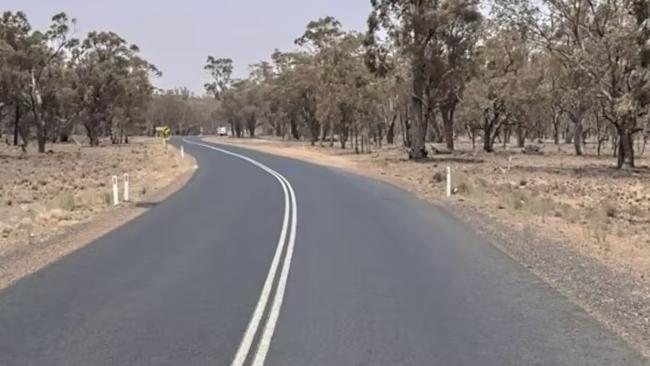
{"points": [[322, 92]]}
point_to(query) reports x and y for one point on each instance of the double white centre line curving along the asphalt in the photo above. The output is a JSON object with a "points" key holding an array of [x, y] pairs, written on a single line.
{"points": [[288, 227]]}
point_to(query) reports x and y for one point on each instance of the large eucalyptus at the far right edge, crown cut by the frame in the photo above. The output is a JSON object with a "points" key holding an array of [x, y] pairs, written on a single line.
{"points": [[603, 48]]}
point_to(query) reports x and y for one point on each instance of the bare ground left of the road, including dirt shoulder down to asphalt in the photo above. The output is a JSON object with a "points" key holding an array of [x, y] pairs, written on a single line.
{"points": [[53, 204]]}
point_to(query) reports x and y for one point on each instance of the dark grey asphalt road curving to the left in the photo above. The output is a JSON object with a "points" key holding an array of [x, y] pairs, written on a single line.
{"points": [[358, 272]]}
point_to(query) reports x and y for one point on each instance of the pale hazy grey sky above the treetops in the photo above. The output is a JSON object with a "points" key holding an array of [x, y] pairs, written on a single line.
{"points": [[178, 35]]}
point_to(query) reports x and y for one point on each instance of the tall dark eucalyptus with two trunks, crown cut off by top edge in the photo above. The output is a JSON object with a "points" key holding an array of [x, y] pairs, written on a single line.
{"points": [[429, 34]]}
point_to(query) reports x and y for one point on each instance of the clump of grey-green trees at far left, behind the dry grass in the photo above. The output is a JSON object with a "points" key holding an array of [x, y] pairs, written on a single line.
{"points": [[54, 82]]}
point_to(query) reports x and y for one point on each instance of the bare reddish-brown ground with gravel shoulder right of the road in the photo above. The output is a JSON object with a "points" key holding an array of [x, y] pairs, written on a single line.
{"points": [[577, 222]]}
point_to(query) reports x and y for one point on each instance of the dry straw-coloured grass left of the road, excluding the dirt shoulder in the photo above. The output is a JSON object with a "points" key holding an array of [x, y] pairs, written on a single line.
{"points": [[41, 196]]}
